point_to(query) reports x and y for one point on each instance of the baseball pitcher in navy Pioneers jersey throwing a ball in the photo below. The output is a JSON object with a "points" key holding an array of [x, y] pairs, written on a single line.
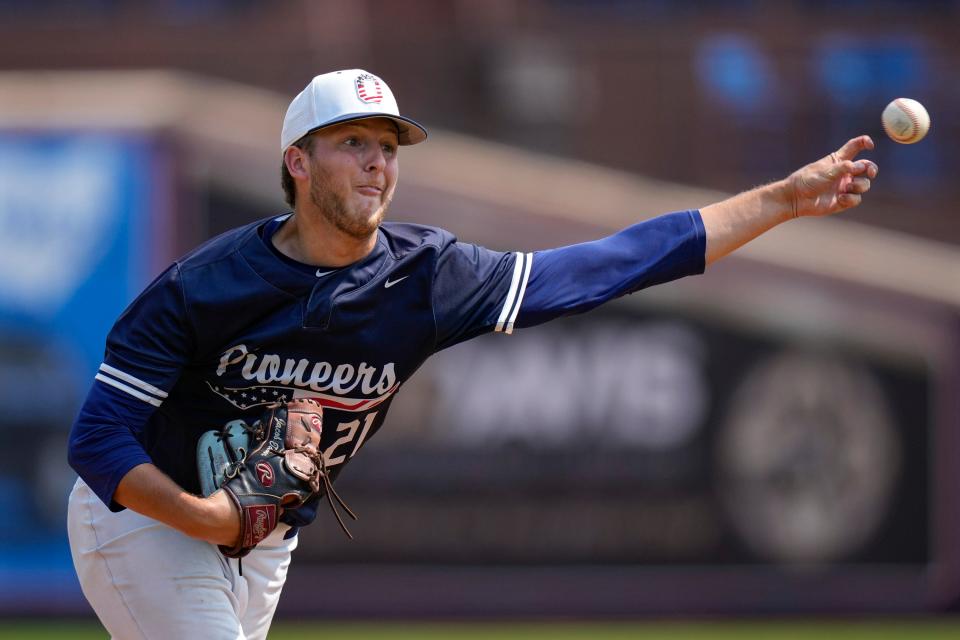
{"points": [[325, 306]]}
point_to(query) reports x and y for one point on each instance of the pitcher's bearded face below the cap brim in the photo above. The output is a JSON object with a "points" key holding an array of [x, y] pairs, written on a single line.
{"points": [[353, 173]]}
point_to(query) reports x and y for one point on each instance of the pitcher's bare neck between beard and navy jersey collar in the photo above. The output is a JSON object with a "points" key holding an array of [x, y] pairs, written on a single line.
{"points": [[310, 238]]}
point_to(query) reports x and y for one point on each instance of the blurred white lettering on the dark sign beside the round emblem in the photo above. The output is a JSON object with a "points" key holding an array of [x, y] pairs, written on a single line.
{"points": [[634, 385]]}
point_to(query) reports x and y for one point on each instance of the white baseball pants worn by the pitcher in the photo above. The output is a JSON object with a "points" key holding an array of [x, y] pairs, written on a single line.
{"points": [[147, 580]]}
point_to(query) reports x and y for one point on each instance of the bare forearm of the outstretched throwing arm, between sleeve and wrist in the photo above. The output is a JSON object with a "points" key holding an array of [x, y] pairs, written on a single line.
{"points": [[737, 220]]}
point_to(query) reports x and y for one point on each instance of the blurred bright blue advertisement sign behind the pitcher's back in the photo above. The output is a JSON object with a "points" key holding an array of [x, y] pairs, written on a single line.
{"points": [[79, 236]]}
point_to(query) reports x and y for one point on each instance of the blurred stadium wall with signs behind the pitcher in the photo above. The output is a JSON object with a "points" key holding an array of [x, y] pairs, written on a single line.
{"points": [[776, 436]]}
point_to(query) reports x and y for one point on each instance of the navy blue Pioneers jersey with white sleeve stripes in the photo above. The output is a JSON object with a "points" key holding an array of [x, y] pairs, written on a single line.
{"points": [[235, 326]]}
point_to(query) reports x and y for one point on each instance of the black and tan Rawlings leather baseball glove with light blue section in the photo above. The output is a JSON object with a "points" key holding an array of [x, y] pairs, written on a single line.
{"points": [[272, 465]]}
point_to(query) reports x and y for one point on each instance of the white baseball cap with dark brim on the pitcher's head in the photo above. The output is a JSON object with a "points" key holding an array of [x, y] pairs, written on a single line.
{"points": [[341, 96]]}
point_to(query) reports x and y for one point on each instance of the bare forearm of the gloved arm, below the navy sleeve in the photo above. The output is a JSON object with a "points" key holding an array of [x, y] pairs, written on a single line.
{"points": [[149, 491]]}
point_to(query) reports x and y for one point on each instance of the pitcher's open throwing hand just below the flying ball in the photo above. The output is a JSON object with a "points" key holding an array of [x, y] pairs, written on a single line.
{"points": [[833, 183]]}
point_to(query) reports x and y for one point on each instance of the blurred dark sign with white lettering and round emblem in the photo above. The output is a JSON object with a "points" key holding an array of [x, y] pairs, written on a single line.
{"points": [[628, 449]]}
